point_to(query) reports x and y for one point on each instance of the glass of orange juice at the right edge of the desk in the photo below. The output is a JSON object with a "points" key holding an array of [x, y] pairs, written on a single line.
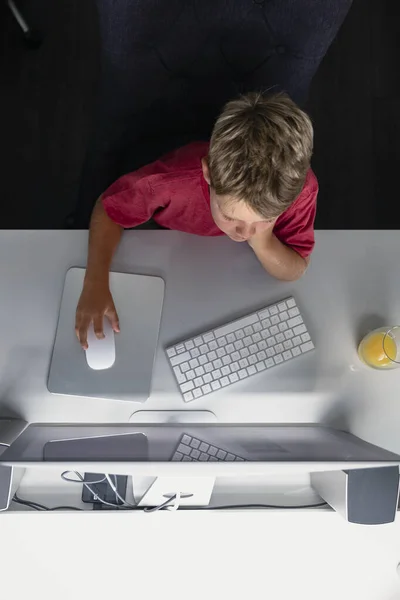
{"points": [[380, 349]]}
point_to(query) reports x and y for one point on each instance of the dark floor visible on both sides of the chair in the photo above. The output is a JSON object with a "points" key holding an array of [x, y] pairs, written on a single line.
{"points": [[46, 102]]}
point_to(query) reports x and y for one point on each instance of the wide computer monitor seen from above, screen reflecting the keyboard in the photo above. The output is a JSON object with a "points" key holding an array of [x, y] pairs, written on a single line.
{"points": [[202, 449]]}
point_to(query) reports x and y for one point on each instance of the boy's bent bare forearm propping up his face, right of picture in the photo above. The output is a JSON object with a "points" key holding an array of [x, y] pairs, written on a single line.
{"points": [[279, 260]]}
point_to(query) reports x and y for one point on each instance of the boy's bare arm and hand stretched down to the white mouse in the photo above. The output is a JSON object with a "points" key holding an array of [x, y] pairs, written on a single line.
{"points": [[96, 300]]}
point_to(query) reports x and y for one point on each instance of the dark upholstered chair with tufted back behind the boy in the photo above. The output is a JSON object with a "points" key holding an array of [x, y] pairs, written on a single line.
{"points": [[168, 66]]}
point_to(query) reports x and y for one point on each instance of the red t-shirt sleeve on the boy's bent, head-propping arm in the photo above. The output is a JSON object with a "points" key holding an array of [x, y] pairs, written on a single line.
{"points": [[295, 228]]}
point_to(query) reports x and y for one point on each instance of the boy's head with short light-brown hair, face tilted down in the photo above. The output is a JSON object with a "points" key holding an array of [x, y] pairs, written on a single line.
{"points": [[260, 153]]}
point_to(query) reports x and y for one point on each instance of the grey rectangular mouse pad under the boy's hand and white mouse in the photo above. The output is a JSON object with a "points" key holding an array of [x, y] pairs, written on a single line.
{"points": [[138, 300]]}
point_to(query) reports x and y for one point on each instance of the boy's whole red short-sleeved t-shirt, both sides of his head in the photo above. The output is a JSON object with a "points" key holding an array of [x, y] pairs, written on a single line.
{"points": [[173, 192]]}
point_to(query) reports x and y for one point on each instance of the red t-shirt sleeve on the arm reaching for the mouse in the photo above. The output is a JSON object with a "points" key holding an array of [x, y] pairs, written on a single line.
{"points": [[130, 201]]}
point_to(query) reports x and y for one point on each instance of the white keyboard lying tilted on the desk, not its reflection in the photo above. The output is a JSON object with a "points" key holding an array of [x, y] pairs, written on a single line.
{"points": [[240, 349]]}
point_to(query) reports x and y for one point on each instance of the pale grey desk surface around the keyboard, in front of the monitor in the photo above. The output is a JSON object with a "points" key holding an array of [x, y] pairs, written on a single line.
{"points": [[352, 285]]}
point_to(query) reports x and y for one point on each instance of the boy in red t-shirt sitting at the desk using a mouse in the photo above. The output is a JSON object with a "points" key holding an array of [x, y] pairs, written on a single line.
{"points": [[252, 182]]}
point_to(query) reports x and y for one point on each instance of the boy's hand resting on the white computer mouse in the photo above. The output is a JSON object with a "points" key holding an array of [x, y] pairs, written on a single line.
{"points": [[95, 303]]}
